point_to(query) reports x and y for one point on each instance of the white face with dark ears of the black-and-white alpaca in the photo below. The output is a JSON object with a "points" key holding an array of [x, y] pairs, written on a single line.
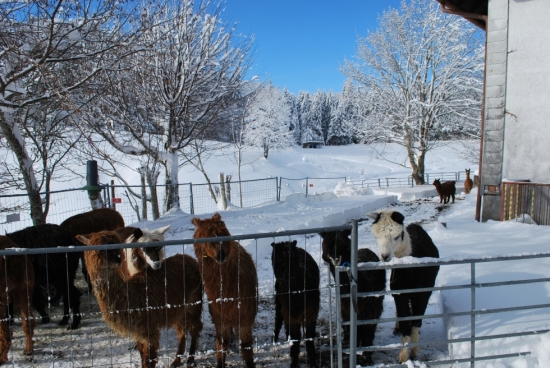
{"points": [[390, 234]]}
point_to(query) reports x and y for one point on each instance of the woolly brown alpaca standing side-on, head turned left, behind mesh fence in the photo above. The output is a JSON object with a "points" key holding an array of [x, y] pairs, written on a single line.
{"points": [[140, 302]]}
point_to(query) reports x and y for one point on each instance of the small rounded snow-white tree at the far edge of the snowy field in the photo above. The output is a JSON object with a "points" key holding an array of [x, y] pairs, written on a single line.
{"points": [[267, 124]]}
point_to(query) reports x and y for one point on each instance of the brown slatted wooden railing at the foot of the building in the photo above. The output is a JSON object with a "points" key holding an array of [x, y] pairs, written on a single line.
{"points": [[527, 202]]}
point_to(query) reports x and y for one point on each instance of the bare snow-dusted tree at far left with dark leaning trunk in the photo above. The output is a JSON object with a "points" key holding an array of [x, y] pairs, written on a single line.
{"points": [[44, 46]]}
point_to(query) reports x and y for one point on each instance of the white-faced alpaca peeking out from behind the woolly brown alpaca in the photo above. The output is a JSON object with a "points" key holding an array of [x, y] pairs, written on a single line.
{"points": [[136, 260]]}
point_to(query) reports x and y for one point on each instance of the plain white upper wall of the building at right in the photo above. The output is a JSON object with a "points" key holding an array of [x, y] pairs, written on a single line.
{"points": [[527, 108]]}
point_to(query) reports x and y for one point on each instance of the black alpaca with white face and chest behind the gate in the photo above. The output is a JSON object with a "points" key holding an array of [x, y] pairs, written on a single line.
{"points": [[396, 240]]}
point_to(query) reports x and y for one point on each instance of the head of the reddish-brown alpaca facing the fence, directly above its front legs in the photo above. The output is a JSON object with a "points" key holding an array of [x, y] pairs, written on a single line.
{"points": [[211, 228]]}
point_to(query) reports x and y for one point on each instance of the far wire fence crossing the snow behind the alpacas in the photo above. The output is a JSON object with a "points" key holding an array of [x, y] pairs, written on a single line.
{"points": [[193, 198]]}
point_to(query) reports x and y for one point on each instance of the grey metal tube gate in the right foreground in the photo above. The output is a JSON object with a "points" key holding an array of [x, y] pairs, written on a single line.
{"points": [[474, 311]]}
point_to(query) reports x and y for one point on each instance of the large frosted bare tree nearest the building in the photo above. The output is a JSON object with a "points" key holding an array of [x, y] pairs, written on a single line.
{"points": [[422, 75]]}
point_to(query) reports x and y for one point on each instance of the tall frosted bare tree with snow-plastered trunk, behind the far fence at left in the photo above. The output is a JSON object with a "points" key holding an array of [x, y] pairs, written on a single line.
{"points": [[176, 90]]}
